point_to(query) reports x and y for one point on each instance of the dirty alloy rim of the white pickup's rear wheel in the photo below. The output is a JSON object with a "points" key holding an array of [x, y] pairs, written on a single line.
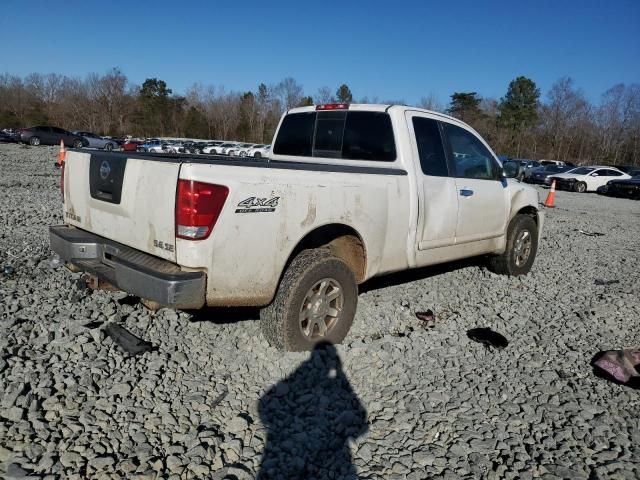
{"points": [[321, 309]]}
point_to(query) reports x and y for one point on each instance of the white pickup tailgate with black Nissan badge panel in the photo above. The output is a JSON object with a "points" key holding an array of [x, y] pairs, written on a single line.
{"points": [[128, 200]]}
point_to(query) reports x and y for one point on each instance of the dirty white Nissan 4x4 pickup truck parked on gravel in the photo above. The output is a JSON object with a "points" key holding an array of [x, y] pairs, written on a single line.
{"points": [[350, 192]]}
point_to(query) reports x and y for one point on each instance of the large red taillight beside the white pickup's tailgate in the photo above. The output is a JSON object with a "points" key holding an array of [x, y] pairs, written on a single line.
{"points": [[198, 206]]}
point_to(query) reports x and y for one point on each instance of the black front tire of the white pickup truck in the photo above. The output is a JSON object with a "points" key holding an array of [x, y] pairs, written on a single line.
{"points": [[511, 262]]}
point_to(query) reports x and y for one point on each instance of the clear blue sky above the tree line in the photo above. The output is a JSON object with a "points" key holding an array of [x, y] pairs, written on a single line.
{"points": [[390, 50]]}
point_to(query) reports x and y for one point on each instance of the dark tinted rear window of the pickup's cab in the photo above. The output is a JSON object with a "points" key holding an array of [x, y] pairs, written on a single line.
{"points": [[337, 134]]}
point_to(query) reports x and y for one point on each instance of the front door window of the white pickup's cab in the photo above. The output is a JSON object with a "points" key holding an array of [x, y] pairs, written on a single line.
{"points": [[469, 156]]}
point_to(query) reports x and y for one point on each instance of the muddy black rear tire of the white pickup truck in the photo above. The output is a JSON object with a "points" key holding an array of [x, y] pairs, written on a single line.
{"points": [[280, 322]]}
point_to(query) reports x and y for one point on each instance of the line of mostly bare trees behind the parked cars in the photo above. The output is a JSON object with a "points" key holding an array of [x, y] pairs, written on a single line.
{"points": [[563, 124]]}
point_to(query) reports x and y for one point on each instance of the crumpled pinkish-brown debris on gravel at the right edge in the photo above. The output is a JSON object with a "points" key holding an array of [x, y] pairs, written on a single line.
{"points": [[618, 366]]}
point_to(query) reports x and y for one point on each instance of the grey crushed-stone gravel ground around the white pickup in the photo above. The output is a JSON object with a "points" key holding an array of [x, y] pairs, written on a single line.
{"points": [[213, 400]]}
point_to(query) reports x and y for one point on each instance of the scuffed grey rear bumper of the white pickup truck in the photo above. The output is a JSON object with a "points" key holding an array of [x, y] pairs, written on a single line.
{"points": [[128, 269]]}
